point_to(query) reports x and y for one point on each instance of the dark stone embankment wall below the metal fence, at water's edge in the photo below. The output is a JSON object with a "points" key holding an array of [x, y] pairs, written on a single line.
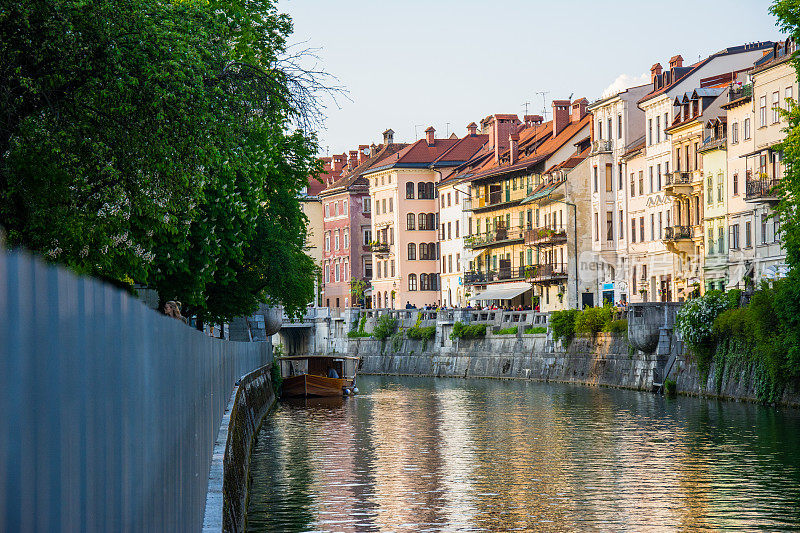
{"points": [[253, 400]]}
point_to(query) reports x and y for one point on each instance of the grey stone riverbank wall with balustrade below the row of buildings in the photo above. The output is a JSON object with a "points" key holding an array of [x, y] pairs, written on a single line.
{"points": [[641, 360]]}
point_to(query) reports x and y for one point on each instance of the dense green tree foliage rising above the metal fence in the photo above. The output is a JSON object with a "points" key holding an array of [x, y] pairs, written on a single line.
{"points": [[157, 142]]}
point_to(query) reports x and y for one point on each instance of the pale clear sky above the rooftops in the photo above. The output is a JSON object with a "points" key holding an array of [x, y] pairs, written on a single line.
{"points": [[410, 64]]}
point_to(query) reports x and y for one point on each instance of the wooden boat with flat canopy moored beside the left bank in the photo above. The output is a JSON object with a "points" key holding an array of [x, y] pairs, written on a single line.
{"points": [[306, 376]]}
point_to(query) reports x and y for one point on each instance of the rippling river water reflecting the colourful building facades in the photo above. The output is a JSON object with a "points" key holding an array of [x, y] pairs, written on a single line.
{"points": [[426, 454]]}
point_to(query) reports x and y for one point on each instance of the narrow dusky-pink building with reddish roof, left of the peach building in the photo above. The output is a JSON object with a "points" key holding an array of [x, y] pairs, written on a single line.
{"points": [[346, 220]]}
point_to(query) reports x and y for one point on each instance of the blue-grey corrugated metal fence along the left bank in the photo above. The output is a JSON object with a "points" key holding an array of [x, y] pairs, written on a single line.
{"points": [[108, 410]]}
